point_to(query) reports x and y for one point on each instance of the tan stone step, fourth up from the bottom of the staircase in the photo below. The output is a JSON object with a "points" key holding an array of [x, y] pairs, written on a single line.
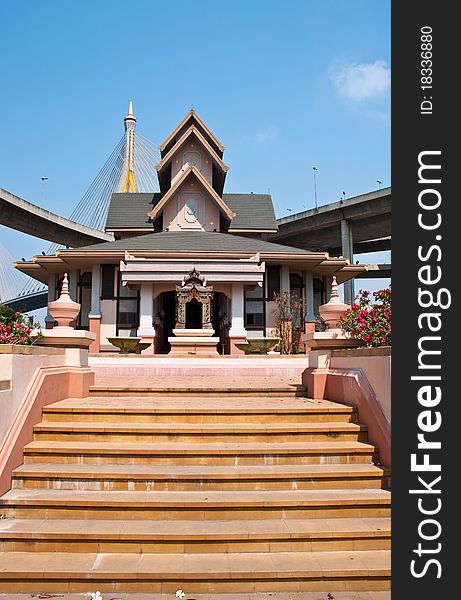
{"points": [[197, 477]]}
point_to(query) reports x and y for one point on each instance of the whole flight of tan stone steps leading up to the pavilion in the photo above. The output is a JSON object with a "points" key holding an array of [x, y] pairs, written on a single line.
{"points": [[205, 489]]}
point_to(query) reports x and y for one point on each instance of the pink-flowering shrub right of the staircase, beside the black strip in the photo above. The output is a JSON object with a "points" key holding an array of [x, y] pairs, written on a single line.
{"points": [[370, 321]]}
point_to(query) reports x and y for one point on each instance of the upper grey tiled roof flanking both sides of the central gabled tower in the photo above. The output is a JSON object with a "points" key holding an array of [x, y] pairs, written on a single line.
{"points": [[253, 212]]}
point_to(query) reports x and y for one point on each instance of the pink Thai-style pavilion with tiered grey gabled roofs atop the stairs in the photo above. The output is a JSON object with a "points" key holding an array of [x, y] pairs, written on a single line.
{"points": [[190, 261]]}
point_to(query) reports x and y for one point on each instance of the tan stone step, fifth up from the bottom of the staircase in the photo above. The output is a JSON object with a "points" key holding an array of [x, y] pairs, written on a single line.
{"points": [[211, 453]]}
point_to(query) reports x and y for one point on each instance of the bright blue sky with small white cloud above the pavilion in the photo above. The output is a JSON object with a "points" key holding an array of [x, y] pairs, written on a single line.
{"points": [[284, 86]]}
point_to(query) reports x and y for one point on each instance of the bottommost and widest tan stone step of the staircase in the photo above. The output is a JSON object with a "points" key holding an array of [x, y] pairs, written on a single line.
{"points": [[235, 572]]}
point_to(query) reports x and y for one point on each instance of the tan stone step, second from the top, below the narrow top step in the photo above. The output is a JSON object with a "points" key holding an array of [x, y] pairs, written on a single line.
{"points": [[192, 410]]}
